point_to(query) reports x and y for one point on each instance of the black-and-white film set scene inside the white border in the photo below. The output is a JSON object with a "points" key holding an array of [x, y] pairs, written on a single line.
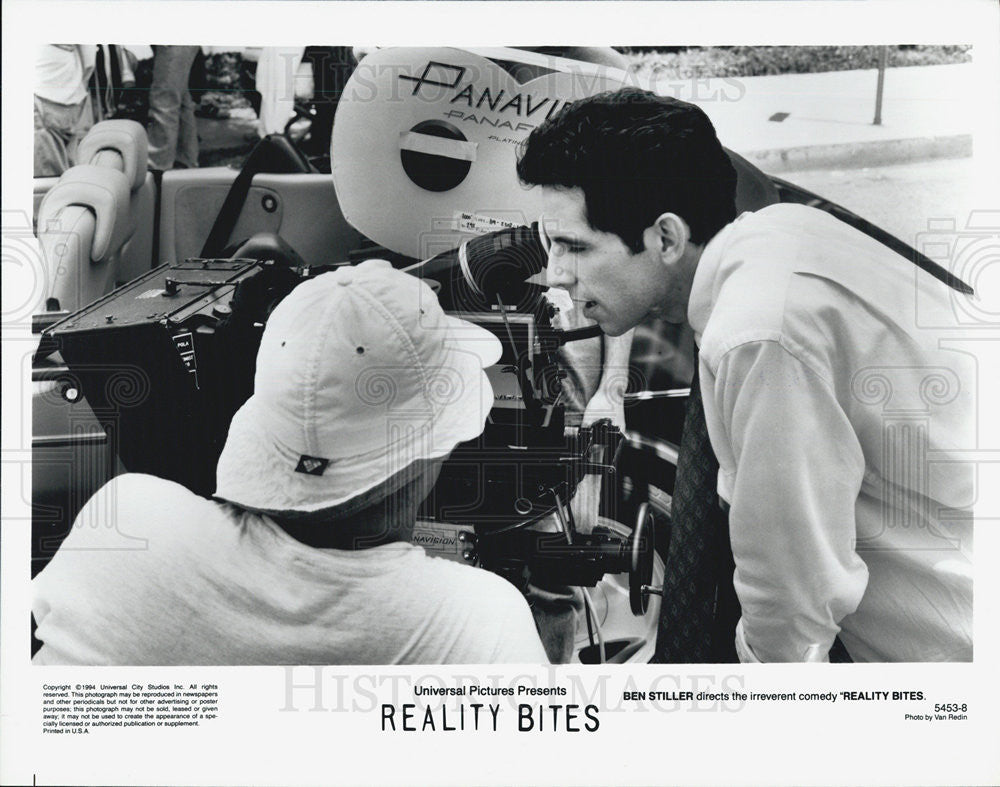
{"points": [[268, 452]]}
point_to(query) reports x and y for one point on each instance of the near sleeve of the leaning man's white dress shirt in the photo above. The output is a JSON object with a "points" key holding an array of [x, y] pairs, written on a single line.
{"points": [[791, 469]]}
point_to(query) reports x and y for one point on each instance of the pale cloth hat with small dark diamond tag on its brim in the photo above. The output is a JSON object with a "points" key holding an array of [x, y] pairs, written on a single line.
{"points": [[359, 374]]}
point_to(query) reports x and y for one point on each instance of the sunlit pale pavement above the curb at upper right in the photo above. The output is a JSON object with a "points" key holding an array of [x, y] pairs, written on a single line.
{"points": [[789, 122]]}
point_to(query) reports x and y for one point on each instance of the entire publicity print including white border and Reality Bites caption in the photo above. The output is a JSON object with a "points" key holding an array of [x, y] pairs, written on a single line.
{"points": [[650, 373]]}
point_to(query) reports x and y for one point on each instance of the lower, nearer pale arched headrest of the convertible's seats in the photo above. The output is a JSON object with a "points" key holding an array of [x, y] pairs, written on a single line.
{"points": [[104, 191]]}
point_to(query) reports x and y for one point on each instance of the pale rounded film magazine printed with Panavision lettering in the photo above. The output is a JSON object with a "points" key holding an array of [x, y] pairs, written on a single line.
{"points": [[425, 140]]}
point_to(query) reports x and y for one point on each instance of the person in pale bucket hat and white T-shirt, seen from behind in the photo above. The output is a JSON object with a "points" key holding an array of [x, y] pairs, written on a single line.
{"points": [[363, 387]]}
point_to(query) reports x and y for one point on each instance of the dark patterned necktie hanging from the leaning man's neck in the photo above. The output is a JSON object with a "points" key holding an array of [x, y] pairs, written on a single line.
{"points": [[699, 610]]}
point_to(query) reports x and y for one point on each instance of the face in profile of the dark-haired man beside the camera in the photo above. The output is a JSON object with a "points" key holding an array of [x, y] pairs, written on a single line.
{"points": [[612, 285]]}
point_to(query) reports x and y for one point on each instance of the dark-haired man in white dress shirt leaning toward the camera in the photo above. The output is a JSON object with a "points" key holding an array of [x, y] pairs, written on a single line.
{"points": [[834, 416]]}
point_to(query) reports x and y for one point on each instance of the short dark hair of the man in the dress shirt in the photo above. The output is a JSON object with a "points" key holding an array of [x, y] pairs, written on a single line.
{"points": [[635, 155]]}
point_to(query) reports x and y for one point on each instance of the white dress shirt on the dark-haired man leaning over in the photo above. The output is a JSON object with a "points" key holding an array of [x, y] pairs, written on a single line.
{"points": [[835, 409]]}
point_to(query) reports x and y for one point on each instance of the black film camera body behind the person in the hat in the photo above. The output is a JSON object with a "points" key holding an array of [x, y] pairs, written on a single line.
{"points": [[166, 360]]}
